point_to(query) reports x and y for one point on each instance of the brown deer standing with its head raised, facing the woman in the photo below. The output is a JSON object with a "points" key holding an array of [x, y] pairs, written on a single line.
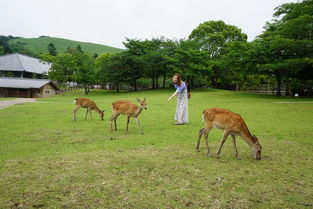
{"points": [[129, 109]]}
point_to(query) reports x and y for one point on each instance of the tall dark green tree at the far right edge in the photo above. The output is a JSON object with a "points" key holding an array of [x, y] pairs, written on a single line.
{"points": [[286, 45]]}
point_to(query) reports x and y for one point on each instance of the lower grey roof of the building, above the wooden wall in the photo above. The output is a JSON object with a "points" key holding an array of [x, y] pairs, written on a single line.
{"points": [[24, 83]]}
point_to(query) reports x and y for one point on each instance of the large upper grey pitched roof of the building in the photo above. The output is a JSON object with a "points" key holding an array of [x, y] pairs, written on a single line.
{"points": [[19, 62]]}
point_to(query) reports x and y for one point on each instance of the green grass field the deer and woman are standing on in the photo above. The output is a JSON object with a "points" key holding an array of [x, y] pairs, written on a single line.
{"points": [[49, 161]]}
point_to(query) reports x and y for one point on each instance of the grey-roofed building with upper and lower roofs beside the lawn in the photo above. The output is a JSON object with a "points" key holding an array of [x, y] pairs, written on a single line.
{"points": [[22, 76]]}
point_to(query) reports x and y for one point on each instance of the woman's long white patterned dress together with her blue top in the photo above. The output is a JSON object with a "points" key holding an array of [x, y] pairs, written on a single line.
{"points": [[181, 114]]}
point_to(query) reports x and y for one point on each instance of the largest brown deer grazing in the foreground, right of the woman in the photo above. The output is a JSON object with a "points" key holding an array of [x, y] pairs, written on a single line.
{"points": [[233, 125]]}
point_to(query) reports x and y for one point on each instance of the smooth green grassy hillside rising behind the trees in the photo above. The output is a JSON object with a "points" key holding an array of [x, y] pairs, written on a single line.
{"points": [[40, 45]]}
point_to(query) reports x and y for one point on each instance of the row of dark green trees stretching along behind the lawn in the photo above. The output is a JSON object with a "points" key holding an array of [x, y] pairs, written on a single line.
{"points": [[214, 55]]}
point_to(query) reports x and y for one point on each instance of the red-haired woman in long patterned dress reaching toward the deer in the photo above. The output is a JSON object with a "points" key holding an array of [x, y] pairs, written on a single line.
{"points": [[181, 115]]}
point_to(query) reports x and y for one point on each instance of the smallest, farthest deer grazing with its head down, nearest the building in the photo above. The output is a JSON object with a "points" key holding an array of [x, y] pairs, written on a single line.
{"points": [[89, 104]]}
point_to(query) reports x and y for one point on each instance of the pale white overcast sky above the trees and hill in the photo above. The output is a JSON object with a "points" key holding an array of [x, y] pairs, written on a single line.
{"points": [[110, 21]]}
